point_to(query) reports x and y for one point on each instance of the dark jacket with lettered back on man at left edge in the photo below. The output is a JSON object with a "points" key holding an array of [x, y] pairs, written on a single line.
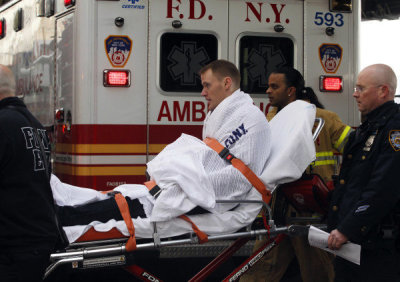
{"points": [[27, 219]]}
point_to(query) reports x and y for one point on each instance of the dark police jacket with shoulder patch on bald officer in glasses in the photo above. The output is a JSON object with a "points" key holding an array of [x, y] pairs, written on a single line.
{"points": [[367, 194]]}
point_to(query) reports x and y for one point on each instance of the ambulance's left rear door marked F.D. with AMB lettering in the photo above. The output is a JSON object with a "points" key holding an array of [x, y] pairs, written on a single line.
{"points": [[184, 36]]}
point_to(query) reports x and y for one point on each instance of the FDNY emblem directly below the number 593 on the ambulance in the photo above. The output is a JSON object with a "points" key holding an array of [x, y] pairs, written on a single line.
{"points": [[330, 56]]}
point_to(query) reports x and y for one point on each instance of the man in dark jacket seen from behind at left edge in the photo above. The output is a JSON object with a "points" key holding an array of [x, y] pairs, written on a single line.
{"points": [[28, 231]]}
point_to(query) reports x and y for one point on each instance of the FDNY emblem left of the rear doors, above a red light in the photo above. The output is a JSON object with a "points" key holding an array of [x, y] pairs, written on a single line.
{"points": [[118, 49]]}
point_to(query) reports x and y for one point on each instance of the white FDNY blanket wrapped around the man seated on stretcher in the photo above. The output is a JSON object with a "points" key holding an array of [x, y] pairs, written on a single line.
{"points": [[191, 174]]}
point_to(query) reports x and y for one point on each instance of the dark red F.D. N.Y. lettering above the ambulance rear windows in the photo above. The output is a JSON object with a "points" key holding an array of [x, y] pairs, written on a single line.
{"points": [[197, 10]]}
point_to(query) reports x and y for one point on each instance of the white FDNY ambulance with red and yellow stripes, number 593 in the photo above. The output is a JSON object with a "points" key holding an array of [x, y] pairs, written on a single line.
{"points": [[115, 81]]}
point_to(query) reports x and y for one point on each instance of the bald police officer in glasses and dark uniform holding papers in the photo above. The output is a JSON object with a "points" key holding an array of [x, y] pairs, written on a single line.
{"points": [[365, 204]]}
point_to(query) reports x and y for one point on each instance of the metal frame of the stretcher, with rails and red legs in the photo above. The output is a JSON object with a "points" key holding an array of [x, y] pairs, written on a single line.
{"points": [[111, 253]]}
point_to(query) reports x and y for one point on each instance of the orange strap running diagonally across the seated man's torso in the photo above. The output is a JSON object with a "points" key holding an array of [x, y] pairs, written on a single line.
{"points": [[238, 164]]}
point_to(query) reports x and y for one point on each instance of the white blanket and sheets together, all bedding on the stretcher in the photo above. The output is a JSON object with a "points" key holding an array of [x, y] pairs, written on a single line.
{"points": [[191, 174]]}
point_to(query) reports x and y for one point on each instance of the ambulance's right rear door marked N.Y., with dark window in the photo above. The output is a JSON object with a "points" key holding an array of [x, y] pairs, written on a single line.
{"points": [[263, 36]]}
